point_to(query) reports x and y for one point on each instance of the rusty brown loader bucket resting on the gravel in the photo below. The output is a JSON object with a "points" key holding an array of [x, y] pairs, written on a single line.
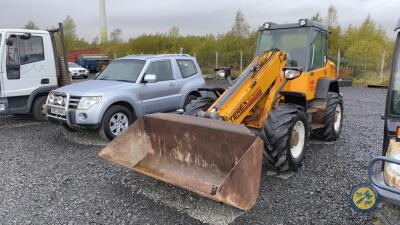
{"points": [[218, 160]]}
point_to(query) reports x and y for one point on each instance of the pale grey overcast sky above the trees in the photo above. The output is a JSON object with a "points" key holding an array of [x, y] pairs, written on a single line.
{"points": [[136, 17]]}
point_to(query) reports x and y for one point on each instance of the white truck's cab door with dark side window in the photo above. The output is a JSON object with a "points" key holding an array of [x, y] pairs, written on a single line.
{"points": [[25, 66]]}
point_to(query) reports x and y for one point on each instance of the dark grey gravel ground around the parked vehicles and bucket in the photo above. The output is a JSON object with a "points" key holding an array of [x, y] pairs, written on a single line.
{"points": [[50, 176]]}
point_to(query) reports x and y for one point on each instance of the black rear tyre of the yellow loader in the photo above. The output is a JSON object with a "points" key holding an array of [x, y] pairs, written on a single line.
{"points": [[329, 132]]}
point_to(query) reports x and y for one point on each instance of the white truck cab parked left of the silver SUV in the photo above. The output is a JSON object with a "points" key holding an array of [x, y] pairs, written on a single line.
{"points": [[29, 70]]}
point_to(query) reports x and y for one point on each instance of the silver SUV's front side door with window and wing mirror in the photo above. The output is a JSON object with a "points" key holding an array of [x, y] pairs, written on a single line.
{"points": [[160, 95]]}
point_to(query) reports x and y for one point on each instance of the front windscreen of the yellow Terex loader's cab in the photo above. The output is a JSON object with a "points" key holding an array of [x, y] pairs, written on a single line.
{"points": [[293, 41]]}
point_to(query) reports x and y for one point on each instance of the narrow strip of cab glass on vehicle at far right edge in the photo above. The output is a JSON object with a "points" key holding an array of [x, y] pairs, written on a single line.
{"points": [[396, 81]]}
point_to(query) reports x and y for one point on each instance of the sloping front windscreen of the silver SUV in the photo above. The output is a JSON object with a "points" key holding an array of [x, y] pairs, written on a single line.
{"points": [[127, 70]]}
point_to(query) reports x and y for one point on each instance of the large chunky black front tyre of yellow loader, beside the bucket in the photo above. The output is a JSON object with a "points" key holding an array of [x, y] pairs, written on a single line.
{"points": [[277, 137]]}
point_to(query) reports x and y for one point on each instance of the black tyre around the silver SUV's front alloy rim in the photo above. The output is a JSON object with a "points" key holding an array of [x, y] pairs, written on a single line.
{"points": [[105, 130]]}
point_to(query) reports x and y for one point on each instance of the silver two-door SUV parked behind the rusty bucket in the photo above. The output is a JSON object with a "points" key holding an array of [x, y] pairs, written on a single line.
{"points": [[127, 89]]}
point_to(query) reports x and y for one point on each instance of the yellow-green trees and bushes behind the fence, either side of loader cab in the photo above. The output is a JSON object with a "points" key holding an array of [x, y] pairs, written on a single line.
{"points": [[361, 46]]}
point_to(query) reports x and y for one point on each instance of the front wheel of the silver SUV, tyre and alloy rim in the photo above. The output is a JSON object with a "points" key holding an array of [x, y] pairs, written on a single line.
{"points": [[115, 121]]}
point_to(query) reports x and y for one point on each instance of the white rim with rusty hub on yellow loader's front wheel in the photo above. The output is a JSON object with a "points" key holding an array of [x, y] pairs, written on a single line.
{"points": [[297, 139]]}
